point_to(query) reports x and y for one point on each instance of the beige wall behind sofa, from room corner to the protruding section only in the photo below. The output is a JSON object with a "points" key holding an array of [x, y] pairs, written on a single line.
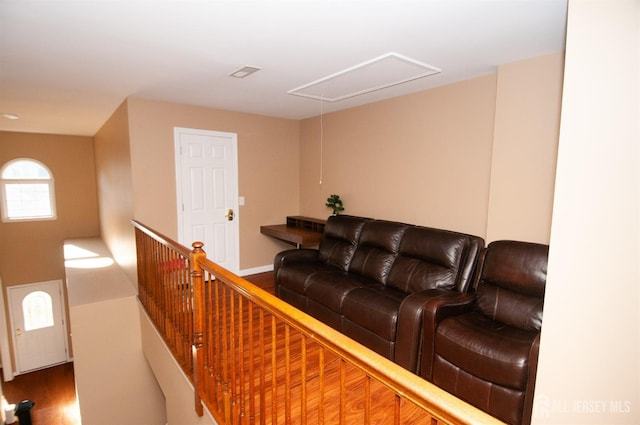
{"points": [[422, 158]]}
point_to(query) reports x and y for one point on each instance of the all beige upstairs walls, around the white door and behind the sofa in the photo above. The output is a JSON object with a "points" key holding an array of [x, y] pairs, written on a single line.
{"points": [[443, 158]]}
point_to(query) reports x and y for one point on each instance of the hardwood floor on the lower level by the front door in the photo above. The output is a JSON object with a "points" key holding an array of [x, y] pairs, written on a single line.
{"points": [[53, 391]]}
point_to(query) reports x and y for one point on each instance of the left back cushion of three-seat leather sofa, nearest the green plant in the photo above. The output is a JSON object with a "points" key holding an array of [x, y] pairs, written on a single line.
{"points": [[339, 241]]}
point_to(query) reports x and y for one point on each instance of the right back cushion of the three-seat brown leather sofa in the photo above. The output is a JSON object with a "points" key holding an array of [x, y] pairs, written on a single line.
{"points": [[435, 259]]}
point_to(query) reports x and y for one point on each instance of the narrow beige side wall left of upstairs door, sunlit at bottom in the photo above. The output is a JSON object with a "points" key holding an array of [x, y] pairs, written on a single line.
{"points": [[113, 167]]}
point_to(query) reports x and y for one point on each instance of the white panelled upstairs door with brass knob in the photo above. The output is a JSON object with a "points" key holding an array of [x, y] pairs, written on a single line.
{"points": [[207, 190]]}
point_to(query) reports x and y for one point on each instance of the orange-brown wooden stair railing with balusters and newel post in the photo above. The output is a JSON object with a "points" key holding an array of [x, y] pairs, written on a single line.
{"points": [[254, 359]]}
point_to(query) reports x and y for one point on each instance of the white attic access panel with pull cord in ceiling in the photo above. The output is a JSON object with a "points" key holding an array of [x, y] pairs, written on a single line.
{"points": [[384, 71]]}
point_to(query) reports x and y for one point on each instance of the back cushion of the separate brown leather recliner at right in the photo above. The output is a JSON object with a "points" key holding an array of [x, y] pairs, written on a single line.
{"points": [[511, 282]]}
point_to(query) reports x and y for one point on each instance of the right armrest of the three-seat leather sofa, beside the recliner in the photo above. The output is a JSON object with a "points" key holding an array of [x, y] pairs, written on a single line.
{"points": [[409, 335]]}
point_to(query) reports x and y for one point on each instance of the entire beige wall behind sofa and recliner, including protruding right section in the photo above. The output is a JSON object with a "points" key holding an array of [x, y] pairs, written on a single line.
{"points": [[476, 156]]}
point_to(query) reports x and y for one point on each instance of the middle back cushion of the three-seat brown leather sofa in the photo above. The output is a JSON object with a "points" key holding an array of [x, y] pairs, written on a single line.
{"points": [[377, 249]]}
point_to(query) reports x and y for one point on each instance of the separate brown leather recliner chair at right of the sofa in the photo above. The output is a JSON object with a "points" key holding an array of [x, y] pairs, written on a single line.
{"points": [[484, 349]]}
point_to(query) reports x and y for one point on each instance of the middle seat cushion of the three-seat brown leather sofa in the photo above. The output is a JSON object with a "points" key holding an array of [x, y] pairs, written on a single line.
{"points": [[329, 288]]}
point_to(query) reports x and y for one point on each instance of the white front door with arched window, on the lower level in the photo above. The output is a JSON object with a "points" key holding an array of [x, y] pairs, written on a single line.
{"points": [[39, 329]]}
